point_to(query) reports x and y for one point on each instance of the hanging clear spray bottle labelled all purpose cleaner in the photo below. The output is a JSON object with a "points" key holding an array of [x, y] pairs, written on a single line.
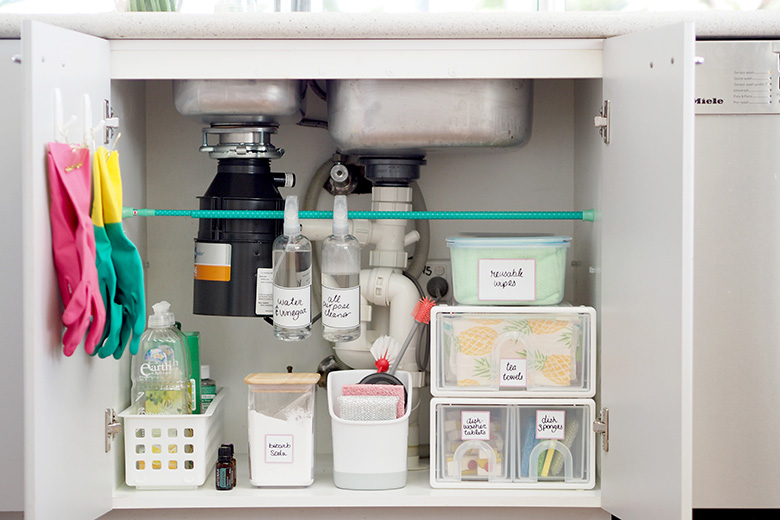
{"points": [[340, 279]]}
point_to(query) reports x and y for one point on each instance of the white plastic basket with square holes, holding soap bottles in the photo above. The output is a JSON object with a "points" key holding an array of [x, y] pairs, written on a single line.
{"points": [[172, 451]]}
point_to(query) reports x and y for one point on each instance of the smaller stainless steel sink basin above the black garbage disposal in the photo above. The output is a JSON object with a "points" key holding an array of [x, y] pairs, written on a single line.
{"points": [[238, 100]]}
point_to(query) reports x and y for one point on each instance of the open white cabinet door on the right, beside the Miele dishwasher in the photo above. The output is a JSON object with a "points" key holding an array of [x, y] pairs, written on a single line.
{"points": [[647, 274]]}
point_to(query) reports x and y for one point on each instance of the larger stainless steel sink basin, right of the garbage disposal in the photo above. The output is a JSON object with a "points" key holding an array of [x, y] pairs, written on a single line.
{"points": [[401, 117]]}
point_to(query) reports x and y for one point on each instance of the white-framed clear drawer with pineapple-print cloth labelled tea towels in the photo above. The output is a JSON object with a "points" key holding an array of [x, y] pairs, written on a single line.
{"points": [[513, 351]]}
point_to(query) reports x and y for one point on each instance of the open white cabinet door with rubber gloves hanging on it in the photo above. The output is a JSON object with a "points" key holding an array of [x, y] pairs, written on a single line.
{"points": [[68, 475]]}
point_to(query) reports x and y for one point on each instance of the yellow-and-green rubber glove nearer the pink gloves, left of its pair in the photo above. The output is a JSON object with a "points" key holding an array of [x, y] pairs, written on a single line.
{"points": [[105, 266]]}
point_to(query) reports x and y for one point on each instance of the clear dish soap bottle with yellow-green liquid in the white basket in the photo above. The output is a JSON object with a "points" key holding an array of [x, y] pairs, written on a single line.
{"points": [[160, 381]]}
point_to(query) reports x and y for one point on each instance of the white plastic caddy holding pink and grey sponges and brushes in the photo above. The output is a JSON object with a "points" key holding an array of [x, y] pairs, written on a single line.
{"points": [[367, 454]]}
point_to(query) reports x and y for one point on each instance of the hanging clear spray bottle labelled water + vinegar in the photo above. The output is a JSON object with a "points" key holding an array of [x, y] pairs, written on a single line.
{"points": [[291, 259]]}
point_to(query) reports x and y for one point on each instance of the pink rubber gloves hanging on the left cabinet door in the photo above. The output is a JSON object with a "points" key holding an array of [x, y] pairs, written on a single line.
{"points": [[73, 246]]}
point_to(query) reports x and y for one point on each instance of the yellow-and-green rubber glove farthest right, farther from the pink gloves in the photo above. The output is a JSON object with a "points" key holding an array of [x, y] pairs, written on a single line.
{"points": [[126, 260]]}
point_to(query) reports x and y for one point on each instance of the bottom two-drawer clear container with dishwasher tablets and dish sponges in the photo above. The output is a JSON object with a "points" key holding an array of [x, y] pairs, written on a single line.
{"points": [[539, 444]]}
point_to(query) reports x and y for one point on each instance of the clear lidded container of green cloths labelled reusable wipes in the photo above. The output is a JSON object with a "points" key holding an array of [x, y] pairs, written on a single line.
{"points": [[508, 270]]}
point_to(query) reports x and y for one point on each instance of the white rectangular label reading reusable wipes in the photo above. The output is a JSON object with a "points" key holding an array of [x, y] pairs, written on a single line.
{"points": [[506, 279]]}
